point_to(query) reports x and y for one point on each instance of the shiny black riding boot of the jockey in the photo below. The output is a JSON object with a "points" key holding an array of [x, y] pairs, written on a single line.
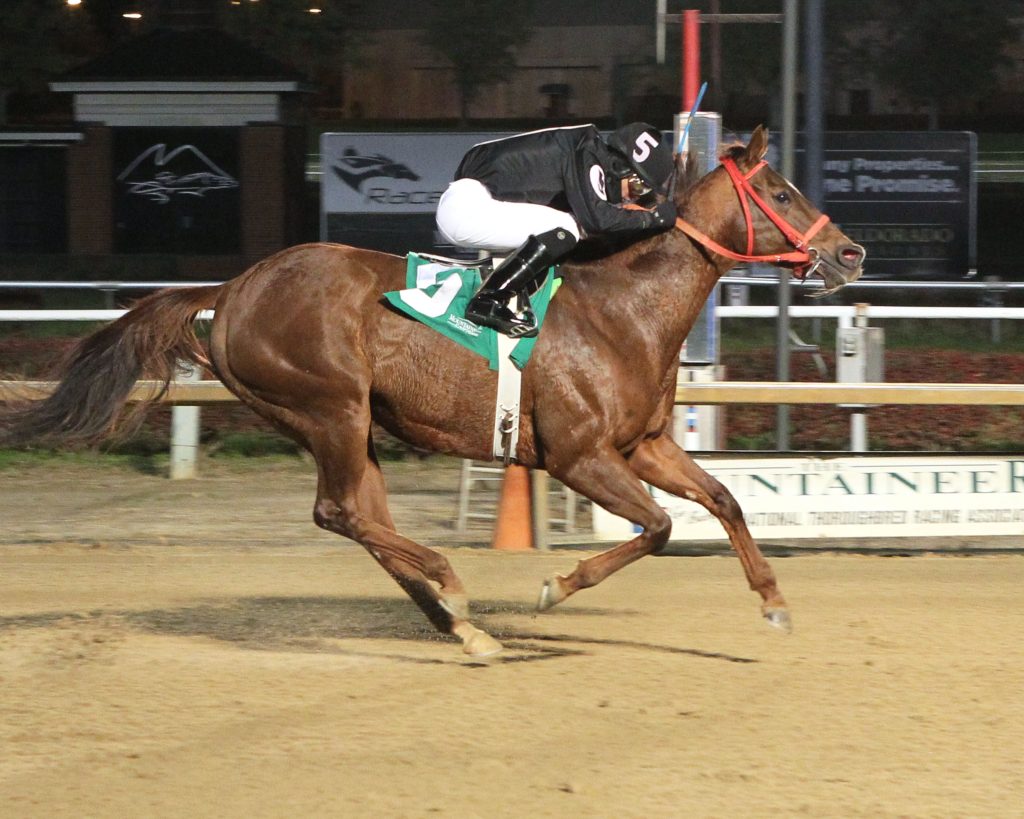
{"points": [[515, 277]]}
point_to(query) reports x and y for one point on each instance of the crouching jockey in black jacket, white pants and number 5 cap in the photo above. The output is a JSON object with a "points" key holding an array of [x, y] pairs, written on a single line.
{"points": [[539, 194]]}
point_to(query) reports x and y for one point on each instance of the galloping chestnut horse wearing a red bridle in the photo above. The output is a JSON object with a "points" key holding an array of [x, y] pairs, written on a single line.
{"points": [[306, 339]]}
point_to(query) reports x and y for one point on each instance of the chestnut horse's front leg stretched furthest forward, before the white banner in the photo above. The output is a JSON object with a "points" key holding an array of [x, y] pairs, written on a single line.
{"points": [[663, 463]]}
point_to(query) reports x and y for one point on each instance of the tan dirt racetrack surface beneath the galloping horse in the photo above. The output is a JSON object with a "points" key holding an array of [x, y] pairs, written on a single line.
{"points": [[201, 650]]}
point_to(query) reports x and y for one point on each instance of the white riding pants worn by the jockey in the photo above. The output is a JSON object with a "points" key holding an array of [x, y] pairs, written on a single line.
{"points": [[468, 217]]}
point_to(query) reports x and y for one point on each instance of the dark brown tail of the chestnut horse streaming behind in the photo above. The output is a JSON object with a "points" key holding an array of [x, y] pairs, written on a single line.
{"points": [[98, 376]]}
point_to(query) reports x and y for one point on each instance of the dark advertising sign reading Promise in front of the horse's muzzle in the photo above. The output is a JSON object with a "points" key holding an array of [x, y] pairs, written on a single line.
{"points": [[910, 198]]}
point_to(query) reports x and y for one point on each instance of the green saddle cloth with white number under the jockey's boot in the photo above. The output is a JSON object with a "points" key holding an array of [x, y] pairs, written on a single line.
{"points": [[438, 294]]}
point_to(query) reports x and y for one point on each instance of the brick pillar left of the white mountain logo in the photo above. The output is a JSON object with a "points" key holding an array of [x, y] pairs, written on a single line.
{"points": [[91, 193]]}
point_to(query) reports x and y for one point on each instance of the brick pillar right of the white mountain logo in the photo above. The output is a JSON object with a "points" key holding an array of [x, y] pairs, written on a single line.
{"points": [[264, 191]]}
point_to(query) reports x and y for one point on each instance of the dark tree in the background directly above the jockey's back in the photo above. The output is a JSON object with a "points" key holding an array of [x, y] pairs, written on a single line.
{"points": [[480, 38]]}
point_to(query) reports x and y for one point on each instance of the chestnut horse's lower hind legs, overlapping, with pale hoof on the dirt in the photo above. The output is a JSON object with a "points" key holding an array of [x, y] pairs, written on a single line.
{"points": [[352, 501]]}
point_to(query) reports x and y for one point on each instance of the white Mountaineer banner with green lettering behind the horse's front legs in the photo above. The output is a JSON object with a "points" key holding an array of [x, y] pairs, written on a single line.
{"points": [[893, 497]]}
